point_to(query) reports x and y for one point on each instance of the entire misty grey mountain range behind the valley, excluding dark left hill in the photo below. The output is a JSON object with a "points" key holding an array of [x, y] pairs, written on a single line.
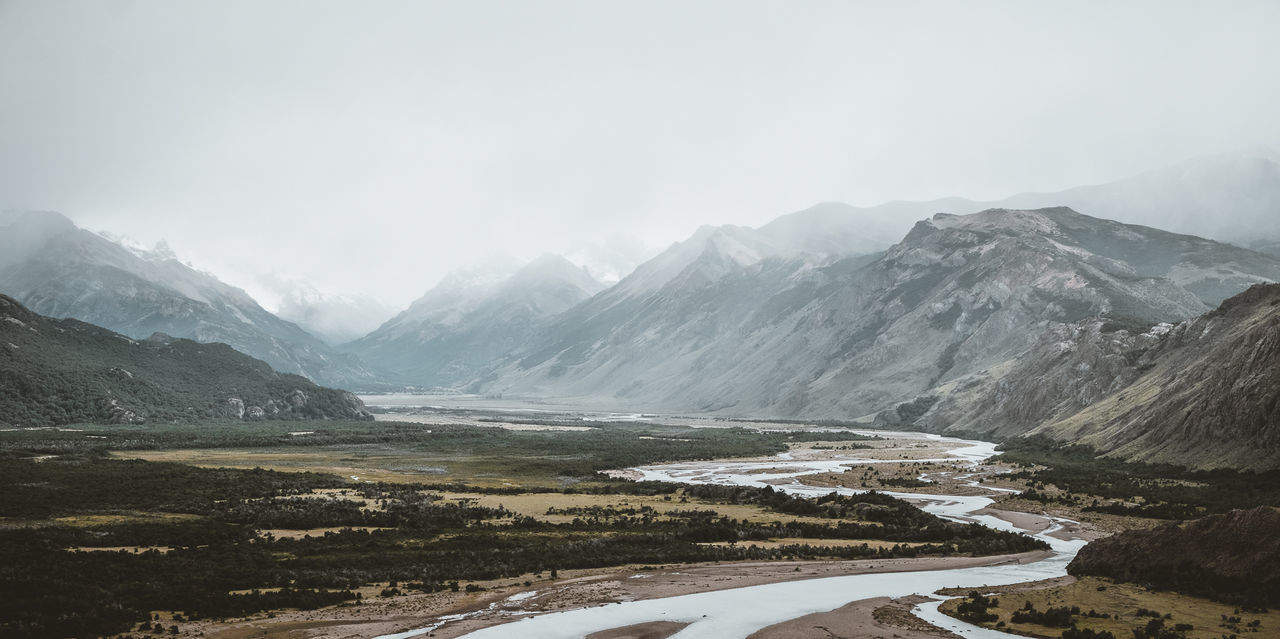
{"points": [[998, 321]]}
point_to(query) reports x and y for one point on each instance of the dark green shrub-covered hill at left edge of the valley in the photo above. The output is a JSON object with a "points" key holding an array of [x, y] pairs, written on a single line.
{"points": [[63, 372]]}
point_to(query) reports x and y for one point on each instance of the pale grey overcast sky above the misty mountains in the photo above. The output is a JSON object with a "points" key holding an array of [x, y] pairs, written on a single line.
{"points": [[372, 148]]}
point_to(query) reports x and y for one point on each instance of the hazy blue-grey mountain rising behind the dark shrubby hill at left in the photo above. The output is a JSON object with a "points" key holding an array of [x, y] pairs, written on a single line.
{"points": [[58, 270]]}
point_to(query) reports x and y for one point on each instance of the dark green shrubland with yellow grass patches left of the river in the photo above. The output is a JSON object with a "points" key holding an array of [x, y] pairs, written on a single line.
{"points": [[95, 546]]}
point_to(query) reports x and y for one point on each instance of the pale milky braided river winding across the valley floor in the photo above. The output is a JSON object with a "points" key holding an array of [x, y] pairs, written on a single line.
{"points": [[742, 611]]}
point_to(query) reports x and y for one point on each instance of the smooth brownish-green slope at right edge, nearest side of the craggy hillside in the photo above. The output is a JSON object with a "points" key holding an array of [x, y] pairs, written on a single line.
{"points": [[1209, 394]]}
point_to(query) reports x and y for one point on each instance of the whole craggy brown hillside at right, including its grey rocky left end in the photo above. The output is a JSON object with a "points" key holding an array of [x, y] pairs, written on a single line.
{"points": [[1204, 392]]}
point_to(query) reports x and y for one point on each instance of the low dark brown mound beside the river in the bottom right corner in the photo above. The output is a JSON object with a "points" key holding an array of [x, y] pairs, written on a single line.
{"points": [[1235, 558]]}
